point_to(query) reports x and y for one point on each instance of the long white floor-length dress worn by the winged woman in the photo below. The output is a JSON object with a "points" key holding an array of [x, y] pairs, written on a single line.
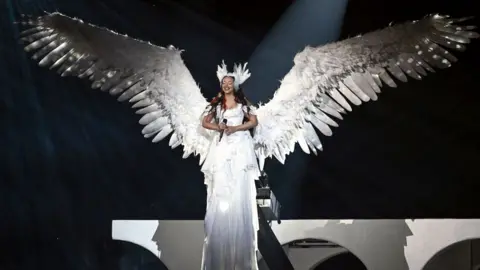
{"points": [[231, 220]]}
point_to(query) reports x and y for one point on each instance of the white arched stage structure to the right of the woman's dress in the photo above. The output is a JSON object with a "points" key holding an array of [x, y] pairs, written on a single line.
{"points": [[372, 241]]}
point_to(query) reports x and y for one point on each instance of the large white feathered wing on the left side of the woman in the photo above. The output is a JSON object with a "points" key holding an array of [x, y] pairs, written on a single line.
{"points": [[154, 79]]}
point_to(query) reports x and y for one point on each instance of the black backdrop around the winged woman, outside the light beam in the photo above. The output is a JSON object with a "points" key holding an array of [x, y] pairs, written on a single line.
{"points": [[73, 159]]}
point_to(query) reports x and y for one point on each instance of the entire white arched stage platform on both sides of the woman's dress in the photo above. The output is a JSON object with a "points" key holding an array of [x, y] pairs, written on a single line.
{"points": [[379, 244]]}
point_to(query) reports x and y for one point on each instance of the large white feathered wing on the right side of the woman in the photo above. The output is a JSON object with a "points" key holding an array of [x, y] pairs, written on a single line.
{"points": [[325, 80]]}
